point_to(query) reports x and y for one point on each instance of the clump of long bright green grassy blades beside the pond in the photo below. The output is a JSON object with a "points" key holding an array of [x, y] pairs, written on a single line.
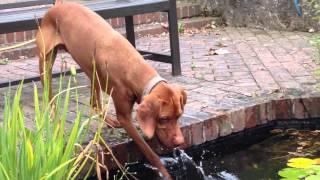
{"points": [[46, 152]]}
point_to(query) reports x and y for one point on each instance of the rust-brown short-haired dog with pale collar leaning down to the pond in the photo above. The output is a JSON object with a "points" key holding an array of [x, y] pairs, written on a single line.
{"points": [[88, 38]]}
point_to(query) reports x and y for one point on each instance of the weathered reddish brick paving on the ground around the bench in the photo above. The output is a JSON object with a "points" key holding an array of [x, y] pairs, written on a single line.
{"points": [[223, 70]]}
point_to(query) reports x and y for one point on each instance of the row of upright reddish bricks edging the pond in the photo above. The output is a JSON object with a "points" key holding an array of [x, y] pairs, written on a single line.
{"points": [[204, 127]]}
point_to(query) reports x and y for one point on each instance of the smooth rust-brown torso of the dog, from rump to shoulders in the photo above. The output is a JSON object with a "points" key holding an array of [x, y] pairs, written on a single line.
{"points": [[87, 37]]}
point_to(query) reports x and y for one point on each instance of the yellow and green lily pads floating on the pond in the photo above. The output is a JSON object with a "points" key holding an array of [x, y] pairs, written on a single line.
{"points": [[301, 168]]}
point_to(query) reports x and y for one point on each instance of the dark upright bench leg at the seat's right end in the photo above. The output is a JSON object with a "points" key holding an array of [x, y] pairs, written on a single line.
{"points": [[174, 39]]}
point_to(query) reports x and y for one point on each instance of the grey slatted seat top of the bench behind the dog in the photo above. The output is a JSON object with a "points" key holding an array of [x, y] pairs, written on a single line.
{"points": [[23, 20]]}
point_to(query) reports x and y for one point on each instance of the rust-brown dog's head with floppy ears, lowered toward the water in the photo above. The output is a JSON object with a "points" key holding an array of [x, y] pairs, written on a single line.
{"points": [[159, 112]]}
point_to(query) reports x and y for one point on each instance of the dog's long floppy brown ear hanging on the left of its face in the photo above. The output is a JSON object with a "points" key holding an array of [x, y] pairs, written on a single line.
{"points": [[147, 113]]}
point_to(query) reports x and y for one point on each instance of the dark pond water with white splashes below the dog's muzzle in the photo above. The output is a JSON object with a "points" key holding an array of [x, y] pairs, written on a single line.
{"points": [[256, 154]]}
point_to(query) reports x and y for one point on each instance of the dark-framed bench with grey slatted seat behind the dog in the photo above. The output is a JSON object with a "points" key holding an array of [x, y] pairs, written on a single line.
{"points": [[21, 16]]}
